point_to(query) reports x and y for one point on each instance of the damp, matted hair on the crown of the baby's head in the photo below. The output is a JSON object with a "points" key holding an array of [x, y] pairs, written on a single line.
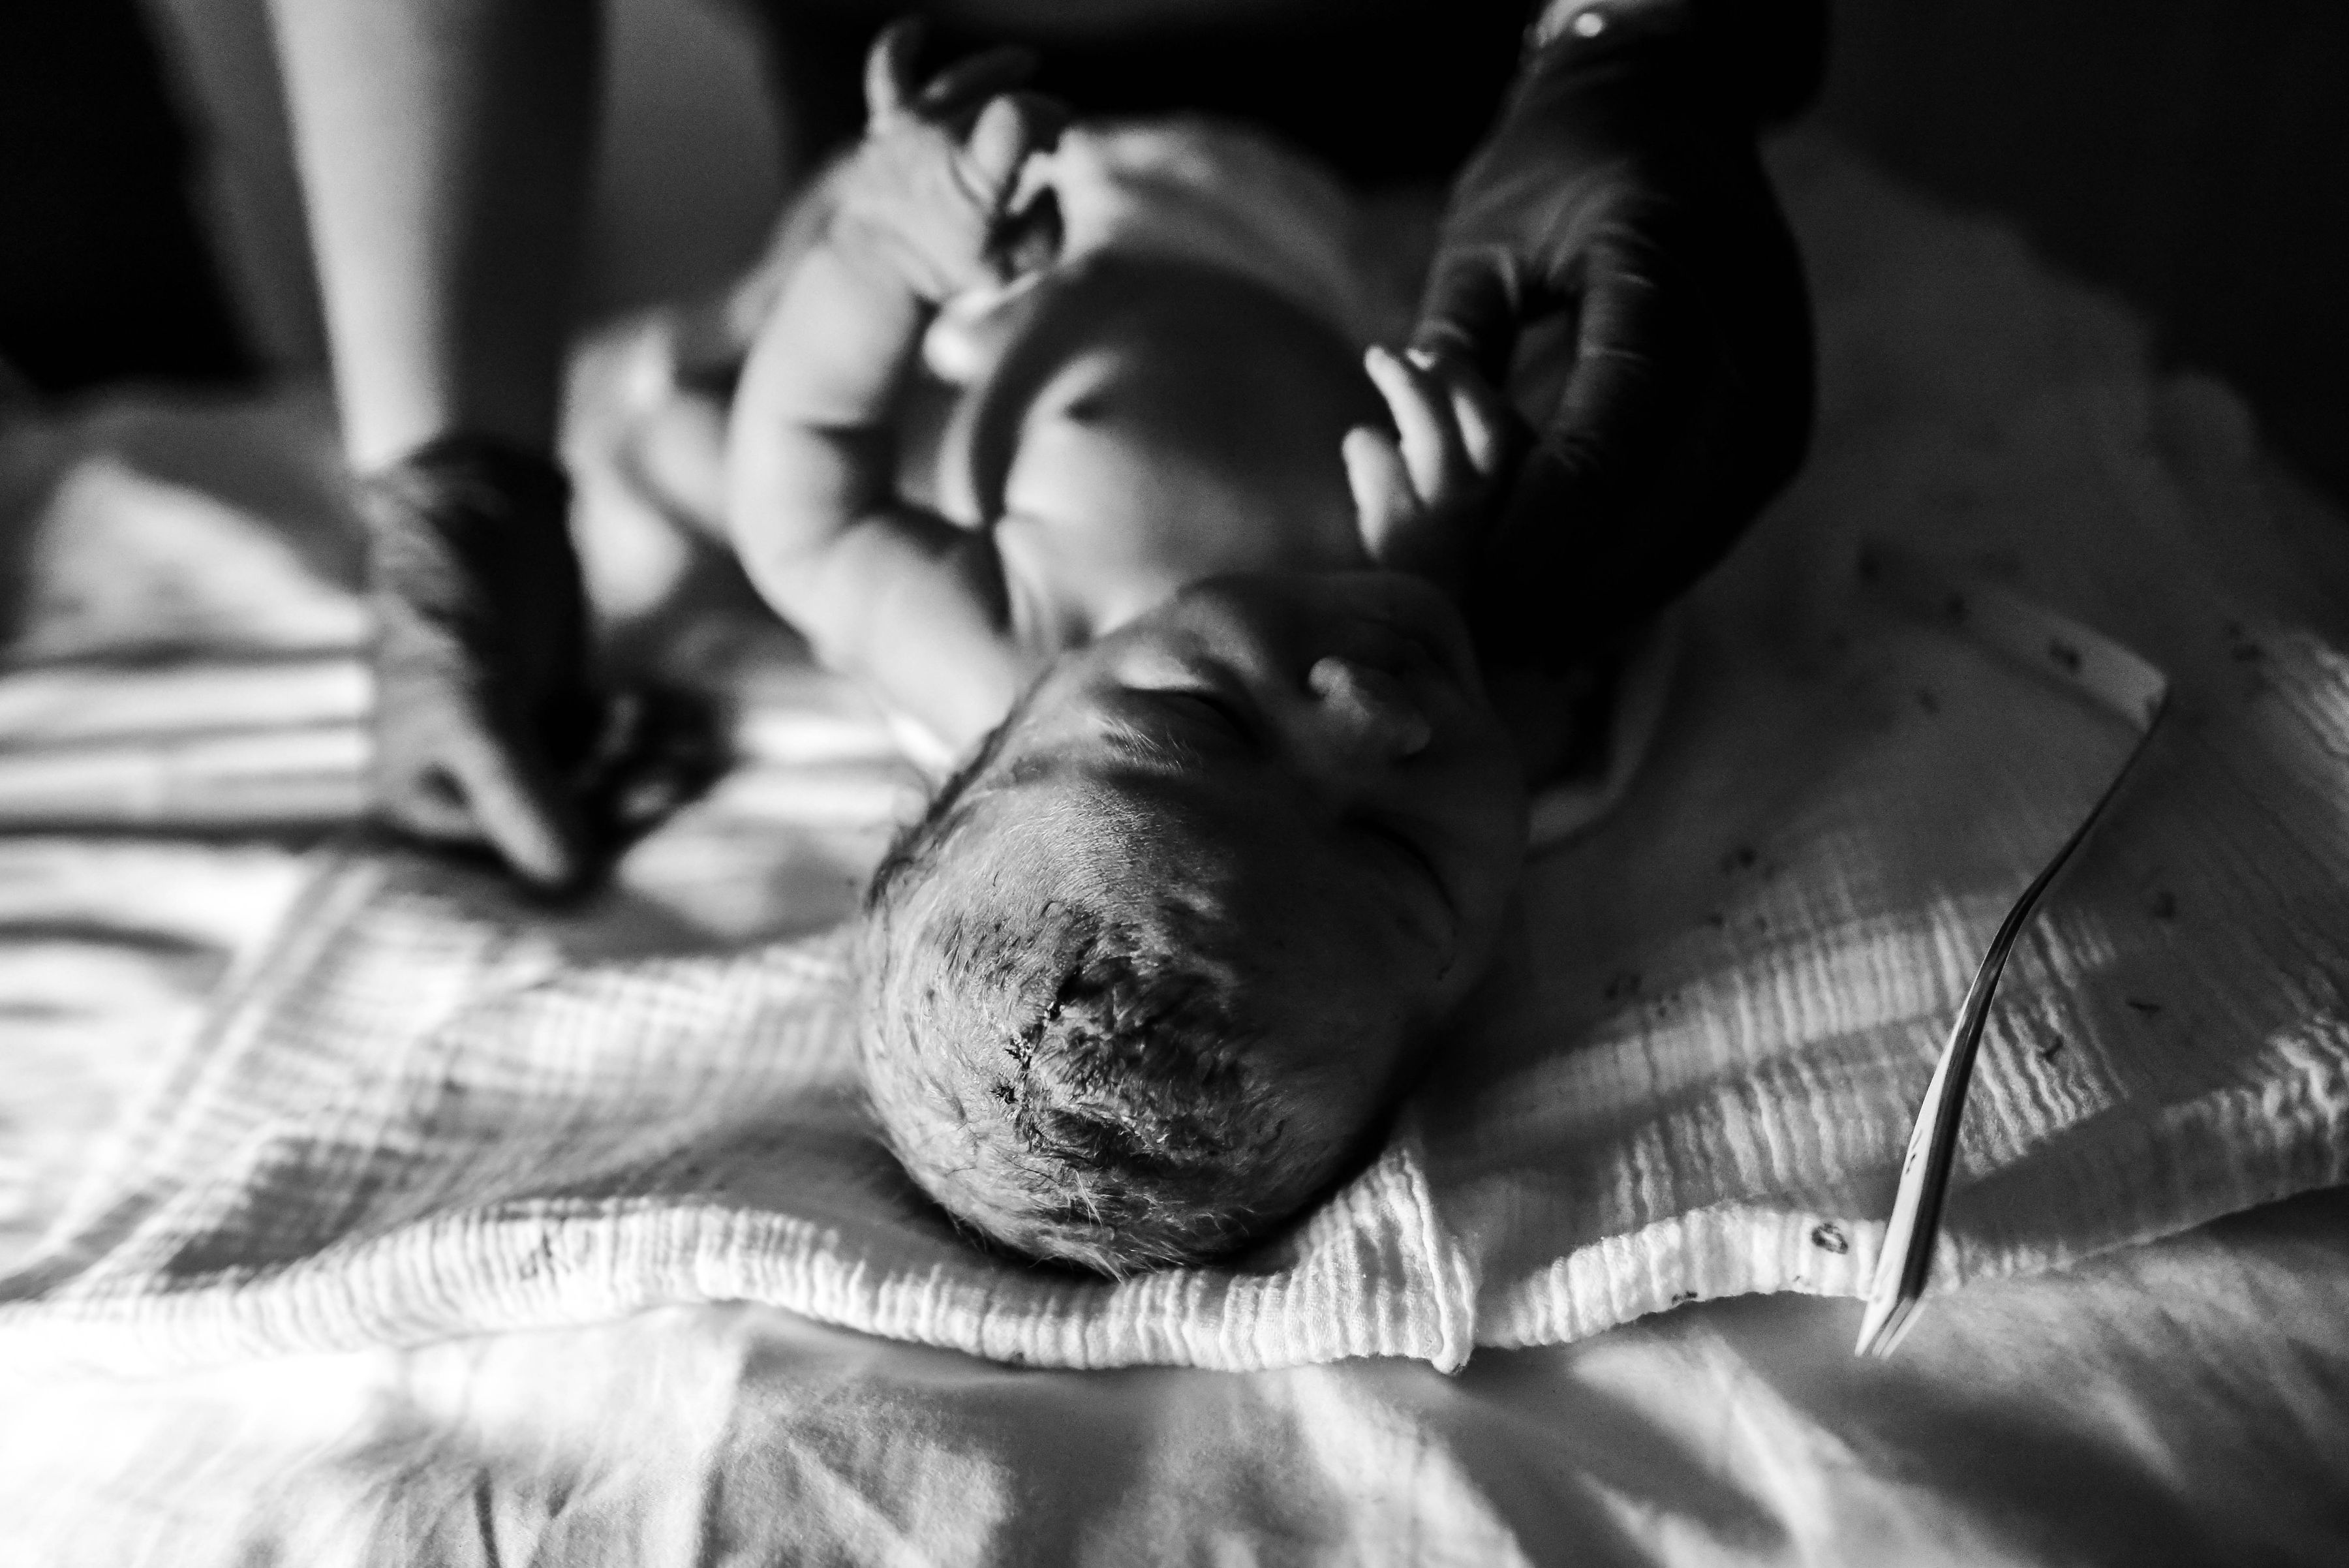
{"points": [[1077, 1072]]}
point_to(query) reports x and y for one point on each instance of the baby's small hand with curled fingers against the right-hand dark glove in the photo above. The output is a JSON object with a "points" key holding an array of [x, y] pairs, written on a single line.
{"points": [[1425, 494]]}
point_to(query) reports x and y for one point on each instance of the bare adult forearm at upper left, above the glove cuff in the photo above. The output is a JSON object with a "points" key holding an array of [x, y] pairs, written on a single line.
{"points": [[445, 156]]}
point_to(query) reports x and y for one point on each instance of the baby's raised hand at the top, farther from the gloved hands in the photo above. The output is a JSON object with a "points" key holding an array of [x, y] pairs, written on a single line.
{"points": [[934, 184]]}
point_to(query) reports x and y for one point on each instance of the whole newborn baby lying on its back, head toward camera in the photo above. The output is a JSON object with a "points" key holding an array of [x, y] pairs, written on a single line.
{"points": [[1237, 823]]}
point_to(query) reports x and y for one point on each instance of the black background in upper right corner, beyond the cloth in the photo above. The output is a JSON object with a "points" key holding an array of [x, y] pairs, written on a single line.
{"points": [[2188, 154]]}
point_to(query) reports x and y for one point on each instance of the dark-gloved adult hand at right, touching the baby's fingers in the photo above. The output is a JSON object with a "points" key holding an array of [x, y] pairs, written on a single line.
{"points": [[1617, 259]]}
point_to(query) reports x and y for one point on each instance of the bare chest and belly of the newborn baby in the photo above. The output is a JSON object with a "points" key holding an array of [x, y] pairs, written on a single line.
{"points": [[1138, 424]]}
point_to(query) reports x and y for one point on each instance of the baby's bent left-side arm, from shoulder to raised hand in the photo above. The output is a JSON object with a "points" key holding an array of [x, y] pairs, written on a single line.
{"points": [[884, 590]]}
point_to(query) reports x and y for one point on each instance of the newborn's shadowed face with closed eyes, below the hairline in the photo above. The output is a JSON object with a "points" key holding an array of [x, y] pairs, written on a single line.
{"points": [[1324, 741]]}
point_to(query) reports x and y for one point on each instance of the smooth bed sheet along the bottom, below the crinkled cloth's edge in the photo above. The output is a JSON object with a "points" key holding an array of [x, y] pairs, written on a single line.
{"points": [[2167, 1405]]}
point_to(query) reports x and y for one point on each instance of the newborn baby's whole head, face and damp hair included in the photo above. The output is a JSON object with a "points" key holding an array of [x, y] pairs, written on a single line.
{"points": [[1164, 957]]}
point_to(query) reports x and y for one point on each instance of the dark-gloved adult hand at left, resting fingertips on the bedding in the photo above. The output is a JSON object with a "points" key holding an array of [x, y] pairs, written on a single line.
{"points": [[487, 731]]}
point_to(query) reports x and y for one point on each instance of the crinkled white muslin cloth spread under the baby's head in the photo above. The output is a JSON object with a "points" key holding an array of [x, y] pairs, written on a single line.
{"points": [[426, 1114]]}
